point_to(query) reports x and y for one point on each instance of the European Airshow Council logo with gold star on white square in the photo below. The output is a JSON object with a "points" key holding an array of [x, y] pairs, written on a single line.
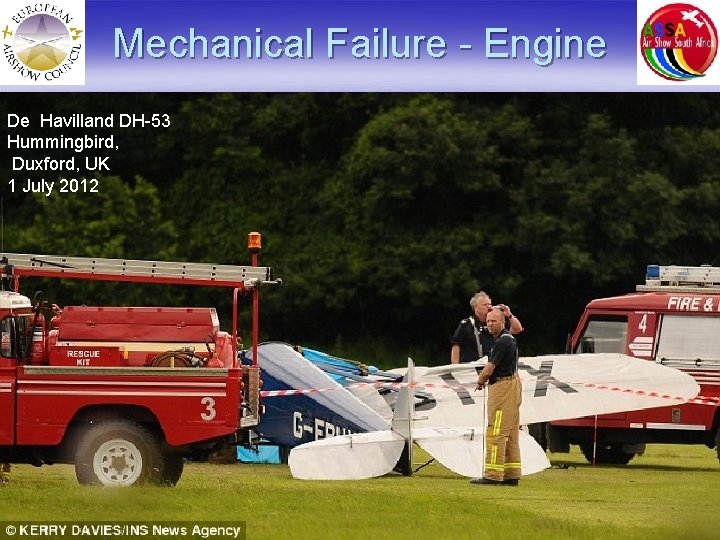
{"points": [[43, 42]]}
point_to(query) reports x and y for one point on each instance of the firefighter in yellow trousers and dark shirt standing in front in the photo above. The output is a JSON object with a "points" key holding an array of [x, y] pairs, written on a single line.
{"points": [[502, 446]]}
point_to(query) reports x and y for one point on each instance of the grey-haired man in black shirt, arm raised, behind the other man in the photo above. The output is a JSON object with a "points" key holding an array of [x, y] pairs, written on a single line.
{"points": [[471, 339]]}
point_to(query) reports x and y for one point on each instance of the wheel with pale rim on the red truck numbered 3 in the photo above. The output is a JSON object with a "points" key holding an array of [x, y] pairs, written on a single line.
{"points": [[118, 453]]}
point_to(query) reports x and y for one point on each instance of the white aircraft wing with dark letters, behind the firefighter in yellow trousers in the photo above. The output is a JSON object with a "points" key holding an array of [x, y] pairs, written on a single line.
{"points": [[556, 387]]}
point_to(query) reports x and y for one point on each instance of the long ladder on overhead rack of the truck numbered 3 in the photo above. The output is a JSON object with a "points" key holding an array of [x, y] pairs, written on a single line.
{"points": [[183, 273]]}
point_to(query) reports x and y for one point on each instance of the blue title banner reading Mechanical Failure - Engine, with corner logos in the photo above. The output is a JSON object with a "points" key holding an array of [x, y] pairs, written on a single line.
{"points": [[362, 45]]}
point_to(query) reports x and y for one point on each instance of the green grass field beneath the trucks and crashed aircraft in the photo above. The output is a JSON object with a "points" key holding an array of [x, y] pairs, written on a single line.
{"points": [[671, 492]]}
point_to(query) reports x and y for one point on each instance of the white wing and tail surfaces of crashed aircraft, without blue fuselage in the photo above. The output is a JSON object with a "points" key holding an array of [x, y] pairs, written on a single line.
{"points": [[451, 426]]}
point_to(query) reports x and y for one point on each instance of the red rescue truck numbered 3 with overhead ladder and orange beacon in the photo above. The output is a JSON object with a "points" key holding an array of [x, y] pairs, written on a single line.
{"points": [[124, 393]]}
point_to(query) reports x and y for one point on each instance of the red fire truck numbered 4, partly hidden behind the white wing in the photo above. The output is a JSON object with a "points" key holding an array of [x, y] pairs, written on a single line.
{"points": [[674, 320]]}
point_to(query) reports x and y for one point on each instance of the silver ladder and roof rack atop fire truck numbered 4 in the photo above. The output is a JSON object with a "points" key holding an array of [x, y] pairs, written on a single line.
{"points": [[681, 279]]}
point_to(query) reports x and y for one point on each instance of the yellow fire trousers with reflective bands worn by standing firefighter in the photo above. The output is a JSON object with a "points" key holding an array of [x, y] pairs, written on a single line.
{"points": [[502, 446]]}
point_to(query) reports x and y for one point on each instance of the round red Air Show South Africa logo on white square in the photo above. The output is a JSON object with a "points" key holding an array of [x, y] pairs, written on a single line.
{"points": [[678, 43]]}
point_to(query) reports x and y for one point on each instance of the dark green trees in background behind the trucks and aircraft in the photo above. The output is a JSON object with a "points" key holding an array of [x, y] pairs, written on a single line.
{"points": [[384, 213]]}
